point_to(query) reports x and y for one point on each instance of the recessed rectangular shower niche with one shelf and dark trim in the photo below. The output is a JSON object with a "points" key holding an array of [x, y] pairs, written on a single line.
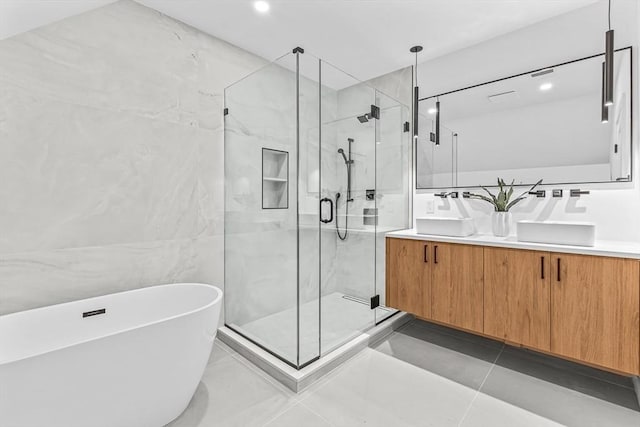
{"points": [[275, 179]]}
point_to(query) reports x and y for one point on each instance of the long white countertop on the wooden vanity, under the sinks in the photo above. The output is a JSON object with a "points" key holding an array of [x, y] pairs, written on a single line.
{"points": [[601, 248]]}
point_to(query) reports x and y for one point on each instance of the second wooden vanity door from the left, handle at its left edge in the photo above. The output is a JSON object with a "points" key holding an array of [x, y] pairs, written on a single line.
{"points": [[457, 285]]}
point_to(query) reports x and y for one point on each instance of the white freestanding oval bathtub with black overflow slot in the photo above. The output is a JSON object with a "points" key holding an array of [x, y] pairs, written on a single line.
{"points": [[131, 359]]}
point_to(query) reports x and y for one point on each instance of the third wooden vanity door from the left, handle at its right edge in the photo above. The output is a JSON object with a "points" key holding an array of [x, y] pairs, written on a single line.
{"points": [[516, 296]]}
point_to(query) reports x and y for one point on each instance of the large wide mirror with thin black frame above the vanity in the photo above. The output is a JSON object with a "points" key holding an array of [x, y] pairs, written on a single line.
{"points": [[545, 124]]}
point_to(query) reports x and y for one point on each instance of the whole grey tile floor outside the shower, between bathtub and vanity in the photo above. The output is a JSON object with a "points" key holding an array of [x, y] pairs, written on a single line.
{"points": [[421, 375]]}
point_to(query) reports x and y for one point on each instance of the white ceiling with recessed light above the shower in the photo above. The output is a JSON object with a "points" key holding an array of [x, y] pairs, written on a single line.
{"points": [[366, 38]]}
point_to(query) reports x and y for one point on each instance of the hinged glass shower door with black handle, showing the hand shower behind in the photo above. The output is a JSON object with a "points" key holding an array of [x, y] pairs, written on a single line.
{"points": [[348, 230]]}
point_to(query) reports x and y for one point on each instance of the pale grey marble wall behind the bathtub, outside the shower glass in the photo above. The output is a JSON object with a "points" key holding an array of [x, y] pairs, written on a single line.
{"points": [[111, 155]]}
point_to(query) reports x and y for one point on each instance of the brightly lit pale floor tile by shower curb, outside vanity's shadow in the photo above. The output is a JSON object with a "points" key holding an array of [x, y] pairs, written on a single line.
{"points": [[378, 390]]}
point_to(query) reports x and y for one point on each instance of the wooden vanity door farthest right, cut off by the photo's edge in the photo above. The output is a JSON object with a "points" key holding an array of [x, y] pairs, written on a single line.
{"points": [[595, 305]]}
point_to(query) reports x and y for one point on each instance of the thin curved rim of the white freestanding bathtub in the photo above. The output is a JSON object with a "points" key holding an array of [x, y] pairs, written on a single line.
{"points": [[30, 355]]}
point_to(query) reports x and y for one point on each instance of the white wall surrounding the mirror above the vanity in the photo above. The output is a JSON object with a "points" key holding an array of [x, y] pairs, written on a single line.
{"points": [[614, 207]]}
